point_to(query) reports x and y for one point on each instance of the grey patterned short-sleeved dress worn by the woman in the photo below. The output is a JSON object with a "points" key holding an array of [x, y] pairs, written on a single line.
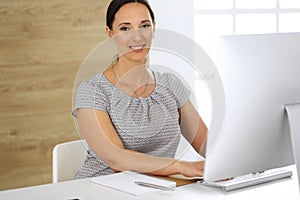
{"points": [[148, 125]]}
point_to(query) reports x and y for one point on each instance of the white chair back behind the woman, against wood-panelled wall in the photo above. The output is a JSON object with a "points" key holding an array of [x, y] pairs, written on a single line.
{"points": [[66, 159]]}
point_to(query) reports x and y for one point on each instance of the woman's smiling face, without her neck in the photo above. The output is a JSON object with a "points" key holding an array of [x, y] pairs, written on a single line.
{"points": [[132, 31]]}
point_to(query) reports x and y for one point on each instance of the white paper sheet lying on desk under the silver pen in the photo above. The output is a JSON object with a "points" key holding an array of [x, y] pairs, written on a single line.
{"points": [[125, 181]]}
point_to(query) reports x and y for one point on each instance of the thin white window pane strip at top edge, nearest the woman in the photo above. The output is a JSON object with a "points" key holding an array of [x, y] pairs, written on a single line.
{"points": [[213, 4]]}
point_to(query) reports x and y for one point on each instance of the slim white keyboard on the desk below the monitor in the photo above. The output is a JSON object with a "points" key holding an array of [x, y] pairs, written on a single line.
{"points": [[250, 179]]}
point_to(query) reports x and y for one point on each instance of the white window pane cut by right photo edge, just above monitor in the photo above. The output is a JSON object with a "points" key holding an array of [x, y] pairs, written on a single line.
{"points": [[289, 22]]}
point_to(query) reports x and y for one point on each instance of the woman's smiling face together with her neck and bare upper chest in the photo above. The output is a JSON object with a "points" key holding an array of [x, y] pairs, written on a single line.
{"points": [[132, 32]]}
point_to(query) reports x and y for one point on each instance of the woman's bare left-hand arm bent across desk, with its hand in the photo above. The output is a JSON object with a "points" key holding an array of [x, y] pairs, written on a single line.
{"points": [[102, 137]]}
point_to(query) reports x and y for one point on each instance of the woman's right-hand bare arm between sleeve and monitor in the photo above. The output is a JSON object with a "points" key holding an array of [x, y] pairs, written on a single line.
{"points": [[193, 128]]}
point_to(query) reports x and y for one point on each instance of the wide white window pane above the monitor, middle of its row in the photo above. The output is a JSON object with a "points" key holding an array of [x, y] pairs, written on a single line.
{"points": [[255, 23]]}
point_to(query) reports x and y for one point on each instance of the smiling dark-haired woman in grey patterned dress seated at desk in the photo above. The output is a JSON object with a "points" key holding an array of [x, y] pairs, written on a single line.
{"points": [[132, 117]]}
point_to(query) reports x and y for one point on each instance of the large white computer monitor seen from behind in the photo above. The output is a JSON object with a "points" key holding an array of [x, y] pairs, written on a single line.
{"points": [[261, 76]]}
